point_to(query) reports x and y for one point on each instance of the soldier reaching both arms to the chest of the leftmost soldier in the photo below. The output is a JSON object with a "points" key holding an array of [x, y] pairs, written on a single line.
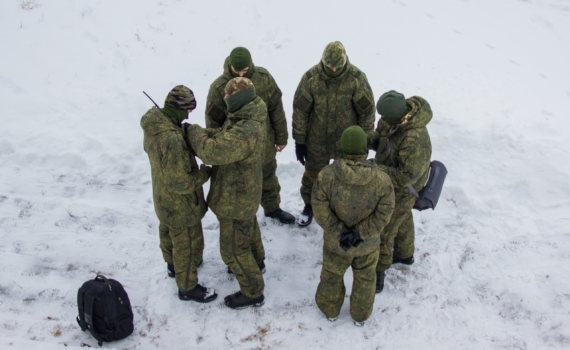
{"points": [[237, 150]]}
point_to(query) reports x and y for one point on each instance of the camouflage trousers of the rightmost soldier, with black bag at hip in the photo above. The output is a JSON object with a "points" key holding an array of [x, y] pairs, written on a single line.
{"points": [[397, 238]]}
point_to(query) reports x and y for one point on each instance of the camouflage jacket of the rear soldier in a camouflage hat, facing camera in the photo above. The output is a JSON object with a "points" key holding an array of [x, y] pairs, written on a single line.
{"points": [[324, 107]]}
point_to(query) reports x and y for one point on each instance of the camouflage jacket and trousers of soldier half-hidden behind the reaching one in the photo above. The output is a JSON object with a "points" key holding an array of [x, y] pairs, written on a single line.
{"points": [[267, 89]]}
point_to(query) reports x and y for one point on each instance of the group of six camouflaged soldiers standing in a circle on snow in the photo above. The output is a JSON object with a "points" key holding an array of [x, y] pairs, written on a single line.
{"points": [[364, 206]]}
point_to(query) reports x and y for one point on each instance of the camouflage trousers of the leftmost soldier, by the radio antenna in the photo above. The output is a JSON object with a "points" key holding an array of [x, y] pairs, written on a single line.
{"points": [[183, 247]]}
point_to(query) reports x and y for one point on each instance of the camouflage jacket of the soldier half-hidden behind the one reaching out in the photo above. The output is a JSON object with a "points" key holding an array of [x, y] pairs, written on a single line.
{"points": [[266, 88]]}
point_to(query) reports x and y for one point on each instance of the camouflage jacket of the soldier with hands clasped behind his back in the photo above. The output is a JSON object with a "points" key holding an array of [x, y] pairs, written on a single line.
{"points": [[353, 194]]}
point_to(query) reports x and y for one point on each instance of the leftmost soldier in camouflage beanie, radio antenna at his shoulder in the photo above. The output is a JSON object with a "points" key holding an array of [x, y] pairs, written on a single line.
{"points": [[177, 192]]}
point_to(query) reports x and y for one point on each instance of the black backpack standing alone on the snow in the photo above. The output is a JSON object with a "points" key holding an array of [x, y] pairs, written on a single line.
{"points": [[104, 309]]}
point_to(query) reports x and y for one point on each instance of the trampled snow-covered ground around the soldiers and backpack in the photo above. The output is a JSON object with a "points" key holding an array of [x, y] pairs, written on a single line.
{"points": [[492, 262]]}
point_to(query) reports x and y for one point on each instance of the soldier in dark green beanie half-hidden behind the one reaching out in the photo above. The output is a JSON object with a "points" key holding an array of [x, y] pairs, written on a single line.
{"points": [[239, 64]]}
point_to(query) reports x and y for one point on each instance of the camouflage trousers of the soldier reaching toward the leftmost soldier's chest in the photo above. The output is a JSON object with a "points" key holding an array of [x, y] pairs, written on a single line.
{"points": [[242, 250]]}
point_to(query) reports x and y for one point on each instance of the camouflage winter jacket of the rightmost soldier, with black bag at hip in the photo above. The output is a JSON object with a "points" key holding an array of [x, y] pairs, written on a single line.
{"points": [[408, 162]]}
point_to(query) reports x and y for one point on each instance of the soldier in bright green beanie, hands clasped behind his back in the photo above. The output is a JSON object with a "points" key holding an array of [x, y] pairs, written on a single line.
{"points": [[353, 200]]}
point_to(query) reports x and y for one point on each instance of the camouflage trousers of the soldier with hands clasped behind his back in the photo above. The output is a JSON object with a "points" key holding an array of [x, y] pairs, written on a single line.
{"points": [[331, 289]]}
